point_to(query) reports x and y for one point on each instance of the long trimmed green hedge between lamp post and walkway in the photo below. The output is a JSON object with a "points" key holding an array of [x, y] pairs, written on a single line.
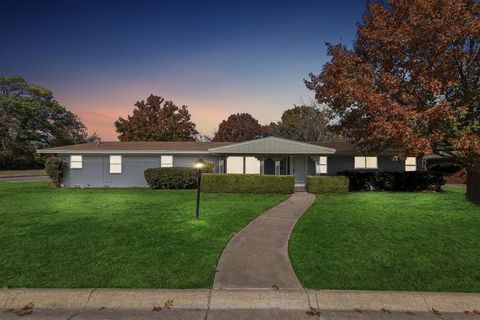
{"points": [[247, 183]]}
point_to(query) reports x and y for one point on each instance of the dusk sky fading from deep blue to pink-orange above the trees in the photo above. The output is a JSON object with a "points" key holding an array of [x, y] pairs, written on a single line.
{"points": [[216, 57]]}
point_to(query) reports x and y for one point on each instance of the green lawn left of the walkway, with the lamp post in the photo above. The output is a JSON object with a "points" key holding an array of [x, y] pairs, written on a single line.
{"points": [[123, 238]]}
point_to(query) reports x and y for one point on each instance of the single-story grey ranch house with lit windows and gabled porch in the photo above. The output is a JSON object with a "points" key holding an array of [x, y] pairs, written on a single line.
{"points": [[122, 164]]}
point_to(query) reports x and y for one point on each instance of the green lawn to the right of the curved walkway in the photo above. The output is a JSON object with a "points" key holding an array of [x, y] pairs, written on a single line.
{"points": [[389, 241]]}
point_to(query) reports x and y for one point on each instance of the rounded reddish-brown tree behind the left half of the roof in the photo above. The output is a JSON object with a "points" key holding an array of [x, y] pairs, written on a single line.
{"points": [[157, 120]]}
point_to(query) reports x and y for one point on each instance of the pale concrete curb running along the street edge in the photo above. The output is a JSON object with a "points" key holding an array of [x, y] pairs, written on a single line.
{"points": [[236, 299]]}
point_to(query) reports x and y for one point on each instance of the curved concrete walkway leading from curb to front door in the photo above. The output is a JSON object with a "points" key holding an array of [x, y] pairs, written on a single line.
{"points": [[257, 256]]}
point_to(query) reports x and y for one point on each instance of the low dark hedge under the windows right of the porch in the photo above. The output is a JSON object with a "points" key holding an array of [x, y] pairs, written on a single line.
{"points": [[394, 181]]}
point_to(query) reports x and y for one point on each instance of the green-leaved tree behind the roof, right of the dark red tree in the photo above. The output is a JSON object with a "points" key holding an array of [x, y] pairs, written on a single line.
{"points": [[303, 123]]}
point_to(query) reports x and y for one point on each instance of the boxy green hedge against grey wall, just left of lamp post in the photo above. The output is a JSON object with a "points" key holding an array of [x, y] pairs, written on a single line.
{"points": [[173, 178]]}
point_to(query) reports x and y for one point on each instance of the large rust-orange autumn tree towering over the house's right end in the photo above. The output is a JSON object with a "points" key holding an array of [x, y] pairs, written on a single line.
{"points": [[411, 80]]}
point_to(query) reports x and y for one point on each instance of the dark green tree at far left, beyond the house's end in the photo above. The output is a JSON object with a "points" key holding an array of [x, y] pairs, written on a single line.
{"points": [[30, 119]]}
